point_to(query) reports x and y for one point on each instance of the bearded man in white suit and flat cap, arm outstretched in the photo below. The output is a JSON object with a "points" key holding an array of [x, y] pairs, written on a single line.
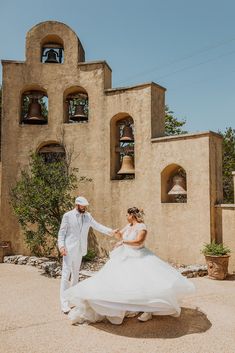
{"points": [[72, 243]]}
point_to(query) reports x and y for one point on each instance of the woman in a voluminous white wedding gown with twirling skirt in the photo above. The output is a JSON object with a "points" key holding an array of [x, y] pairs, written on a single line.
{"points": [[134, 280]]}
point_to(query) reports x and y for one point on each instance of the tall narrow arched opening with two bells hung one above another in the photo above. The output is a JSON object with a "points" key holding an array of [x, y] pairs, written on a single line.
{"points": [[122, 147]]}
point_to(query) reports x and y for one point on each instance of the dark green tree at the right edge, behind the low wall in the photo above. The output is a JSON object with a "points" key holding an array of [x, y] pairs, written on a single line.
{"points": [[228, 165]]}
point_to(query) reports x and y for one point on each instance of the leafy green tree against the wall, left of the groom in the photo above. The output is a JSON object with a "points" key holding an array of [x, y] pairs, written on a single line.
{"points": [[39, 199]]}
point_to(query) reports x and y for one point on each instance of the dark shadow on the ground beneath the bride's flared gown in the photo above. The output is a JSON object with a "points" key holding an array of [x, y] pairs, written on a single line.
{"points": [[190, 321]]}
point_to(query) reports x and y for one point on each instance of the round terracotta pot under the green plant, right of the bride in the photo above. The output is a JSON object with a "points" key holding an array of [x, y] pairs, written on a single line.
{"points": [[217, 266]]}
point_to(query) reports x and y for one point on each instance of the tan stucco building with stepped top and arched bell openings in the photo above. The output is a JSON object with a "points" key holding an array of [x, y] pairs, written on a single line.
{"points": [[55, 98]]}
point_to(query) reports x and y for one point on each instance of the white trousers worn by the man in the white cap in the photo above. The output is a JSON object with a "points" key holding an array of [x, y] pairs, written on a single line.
{"points": [[70, 275]]}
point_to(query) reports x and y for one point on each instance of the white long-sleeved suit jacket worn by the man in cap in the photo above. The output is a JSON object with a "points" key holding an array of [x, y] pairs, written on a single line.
{"points": [[74, 229]]}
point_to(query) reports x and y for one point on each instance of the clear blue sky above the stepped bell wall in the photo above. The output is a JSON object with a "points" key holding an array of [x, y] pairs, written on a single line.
{"points": [[187, 46]]}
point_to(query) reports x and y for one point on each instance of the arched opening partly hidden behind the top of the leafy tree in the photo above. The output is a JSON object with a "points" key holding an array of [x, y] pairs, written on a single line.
{"points": [[52, 152]]}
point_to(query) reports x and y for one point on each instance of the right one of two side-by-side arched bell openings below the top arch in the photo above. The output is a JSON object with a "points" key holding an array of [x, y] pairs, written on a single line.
{"points": [[76, 105]]}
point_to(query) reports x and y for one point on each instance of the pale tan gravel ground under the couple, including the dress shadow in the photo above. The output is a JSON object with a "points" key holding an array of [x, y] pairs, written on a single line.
{"points": [[31, 321]]}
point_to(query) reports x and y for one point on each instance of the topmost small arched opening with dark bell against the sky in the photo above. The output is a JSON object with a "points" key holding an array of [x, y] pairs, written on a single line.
{"points": [[52, 50]]}
